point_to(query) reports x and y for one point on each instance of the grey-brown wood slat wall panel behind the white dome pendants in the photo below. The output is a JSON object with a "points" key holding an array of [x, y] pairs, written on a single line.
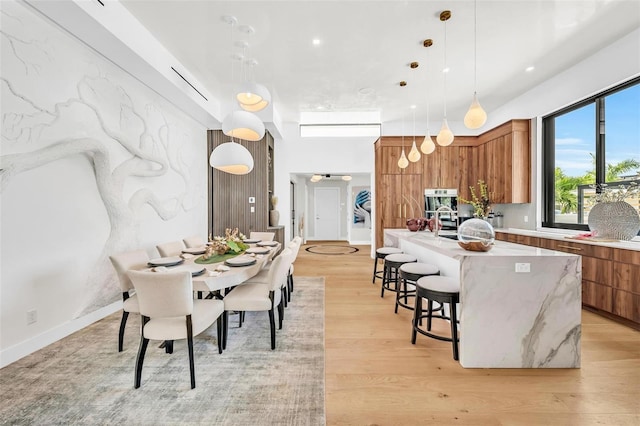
{"points": [[229, 194]]}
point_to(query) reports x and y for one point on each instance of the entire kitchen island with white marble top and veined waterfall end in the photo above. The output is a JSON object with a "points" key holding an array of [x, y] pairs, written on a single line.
{"points": [[520, 306]]}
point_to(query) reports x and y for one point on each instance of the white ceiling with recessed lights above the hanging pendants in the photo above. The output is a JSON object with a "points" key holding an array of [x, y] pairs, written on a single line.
{"points": [[366, 48]]}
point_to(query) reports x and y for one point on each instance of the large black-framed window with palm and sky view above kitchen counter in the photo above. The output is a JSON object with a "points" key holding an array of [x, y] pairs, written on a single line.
{"points": [[592, 144]]}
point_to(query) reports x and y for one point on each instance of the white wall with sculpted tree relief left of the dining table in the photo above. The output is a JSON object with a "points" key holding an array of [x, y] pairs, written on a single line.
{"points": [[93, 162]]}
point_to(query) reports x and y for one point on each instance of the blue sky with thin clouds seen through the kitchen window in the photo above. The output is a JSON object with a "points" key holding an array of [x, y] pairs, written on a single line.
{"points": [[575, 133]]}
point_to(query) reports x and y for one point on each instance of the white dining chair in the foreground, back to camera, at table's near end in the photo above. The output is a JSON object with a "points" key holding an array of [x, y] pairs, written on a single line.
{"points": [[169, 313]]}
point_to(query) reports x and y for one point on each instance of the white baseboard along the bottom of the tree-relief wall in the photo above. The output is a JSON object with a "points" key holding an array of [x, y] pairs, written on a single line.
{"points": [[15, 352]]}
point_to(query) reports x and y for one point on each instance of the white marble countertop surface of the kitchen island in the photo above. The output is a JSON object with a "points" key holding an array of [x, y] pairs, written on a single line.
{"points": [[451, 248]]}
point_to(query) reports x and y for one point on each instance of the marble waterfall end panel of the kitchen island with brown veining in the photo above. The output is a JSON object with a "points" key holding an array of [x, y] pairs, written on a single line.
{"points": [[544, 318]]}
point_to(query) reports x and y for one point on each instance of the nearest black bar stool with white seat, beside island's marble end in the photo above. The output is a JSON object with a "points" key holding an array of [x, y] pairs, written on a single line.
{"points": [[436, 288]]}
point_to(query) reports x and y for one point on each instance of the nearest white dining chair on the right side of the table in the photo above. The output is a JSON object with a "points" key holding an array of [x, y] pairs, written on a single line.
{"points": [[251, 297]]}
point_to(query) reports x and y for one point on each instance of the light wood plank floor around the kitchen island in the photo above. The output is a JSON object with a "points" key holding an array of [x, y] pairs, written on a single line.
{"points": [[375, 376]]}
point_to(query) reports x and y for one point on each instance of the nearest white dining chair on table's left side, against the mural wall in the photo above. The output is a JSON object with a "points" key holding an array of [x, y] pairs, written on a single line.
{"points": [[123, 262]]}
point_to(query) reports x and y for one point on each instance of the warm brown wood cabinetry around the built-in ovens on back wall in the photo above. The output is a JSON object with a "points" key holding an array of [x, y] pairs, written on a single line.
{"points": [[501, 157]]}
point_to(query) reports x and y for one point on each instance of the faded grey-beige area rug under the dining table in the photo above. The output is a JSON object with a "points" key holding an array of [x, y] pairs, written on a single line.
{"points": [[82, 379]]}
